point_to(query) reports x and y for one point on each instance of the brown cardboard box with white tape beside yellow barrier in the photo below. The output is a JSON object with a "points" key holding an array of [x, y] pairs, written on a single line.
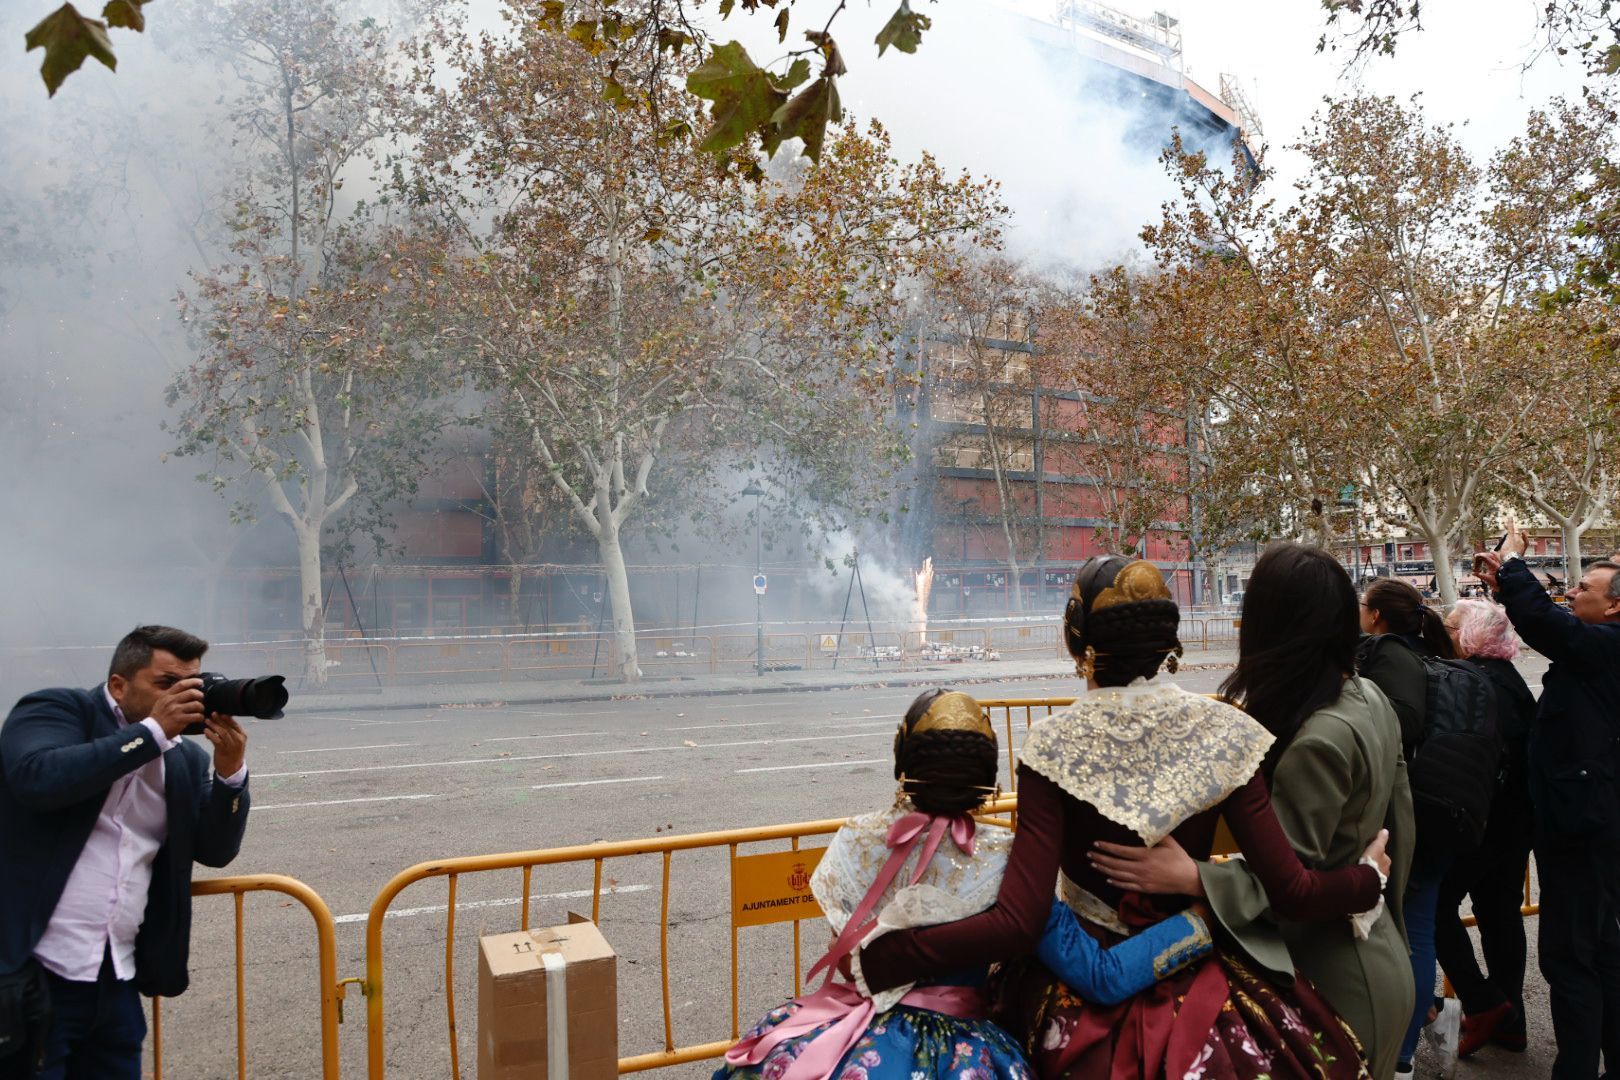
{"points": [[548, 1005]]}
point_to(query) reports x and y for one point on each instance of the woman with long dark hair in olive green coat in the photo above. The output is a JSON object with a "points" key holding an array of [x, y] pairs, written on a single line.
{"points": [[1337, 778]]}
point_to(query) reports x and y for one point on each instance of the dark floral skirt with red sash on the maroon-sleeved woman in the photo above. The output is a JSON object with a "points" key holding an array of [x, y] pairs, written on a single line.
{"points": [[1214, 1021]]}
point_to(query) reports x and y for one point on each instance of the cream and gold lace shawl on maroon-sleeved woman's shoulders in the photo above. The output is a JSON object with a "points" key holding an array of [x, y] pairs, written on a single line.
{"points": [[1148, 757]]}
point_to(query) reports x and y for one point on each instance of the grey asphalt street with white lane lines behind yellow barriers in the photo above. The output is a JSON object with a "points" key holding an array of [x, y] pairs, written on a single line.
{"points": [[344, 801]]}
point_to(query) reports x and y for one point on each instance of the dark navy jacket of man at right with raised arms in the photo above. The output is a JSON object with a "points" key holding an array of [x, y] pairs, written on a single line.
{"points": [[1575, 741]]}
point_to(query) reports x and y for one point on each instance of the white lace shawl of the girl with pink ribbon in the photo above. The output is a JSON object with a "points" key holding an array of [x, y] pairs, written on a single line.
{"points": [[952, 888]]}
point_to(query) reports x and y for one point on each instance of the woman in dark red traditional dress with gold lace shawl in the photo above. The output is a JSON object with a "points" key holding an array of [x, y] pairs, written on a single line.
{"points": [[1133, 763]]}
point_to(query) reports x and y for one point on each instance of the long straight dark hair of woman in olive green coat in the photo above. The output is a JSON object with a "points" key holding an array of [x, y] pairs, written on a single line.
{"points": [[1298, 640]]}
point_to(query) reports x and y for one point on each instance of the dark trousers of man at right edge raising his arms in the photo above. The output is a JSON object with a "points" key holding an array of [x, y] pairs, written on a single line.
{"points": [[1580, 955]]}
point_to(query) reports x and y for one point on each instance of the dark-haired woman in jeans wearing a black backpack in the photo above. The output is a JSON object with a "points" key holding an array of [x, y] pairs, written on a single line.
{"points": [[1452, 747]]}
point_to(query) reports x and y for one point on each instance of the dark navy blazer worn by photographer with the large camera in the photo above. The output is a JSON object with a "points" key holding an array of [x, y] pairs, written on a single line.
{"points": [[61, 754]]}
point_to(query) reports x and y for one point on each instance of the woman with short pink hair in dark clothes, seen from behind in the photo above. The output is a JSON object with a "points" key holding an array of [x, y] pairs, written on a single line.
{"points": [[1493, 875]]}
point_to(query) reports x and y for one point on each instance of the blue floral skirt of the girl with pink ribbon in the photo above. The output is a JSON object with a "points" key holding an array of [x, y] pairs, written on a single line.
{"points": [[903, 1044]]}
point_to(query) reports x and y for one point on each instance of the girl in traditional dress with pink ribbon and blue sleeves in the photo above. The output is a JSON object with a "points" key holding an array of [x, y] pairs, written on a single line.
{"points": [[919, 864]]}
